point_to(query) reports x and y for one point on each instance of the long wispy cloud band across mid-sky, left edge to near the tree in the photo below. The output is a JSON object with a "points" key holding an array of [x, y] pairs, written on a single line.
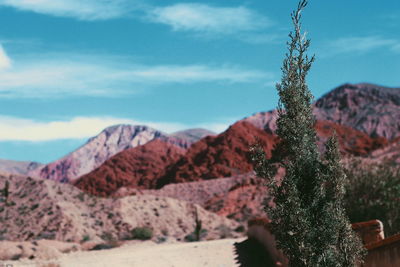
{"points": [[54, 76]]}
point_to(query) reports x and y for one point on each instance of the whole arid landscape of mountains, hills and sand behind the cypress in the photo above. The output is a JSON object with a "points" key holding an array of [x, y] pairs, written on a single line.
{"points": [[131, 177]]}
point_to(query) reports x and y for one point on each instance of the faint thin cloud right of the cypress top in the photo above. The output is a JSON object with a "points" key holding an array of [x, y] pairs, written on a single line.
{"points": [[358, 45]]}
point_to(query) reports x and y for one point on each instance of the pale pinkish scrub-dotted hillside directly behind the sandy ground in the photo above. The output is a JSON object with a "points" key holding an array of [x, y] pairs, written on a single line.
{"points": [[45, 209]]}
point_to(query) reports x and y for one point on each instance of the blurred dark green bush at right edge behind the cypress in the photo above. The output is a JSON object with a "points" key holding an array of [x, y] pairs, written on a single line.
{"points": [[373, 192]]}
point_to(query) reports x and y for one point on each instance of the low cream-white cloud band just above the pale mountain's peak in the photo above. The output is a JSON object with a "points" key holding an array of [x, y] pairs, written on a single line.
{"points": [[21, 129]]}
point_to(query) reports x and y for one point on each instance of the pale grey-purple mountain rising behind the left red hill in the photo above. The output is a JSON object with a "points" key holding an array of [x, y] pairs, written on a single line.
{"points": [[98, 149]]}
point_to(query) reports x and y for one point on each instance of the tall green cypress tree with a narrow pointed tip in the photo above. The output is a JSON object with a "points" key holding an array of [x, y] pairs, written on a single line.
{"points": [[308, 218]]}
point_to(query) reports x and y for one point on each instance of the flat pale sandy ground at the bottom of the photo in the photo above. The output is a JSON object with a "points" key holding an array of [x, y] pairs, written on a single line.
{"points": [[219, 253]]}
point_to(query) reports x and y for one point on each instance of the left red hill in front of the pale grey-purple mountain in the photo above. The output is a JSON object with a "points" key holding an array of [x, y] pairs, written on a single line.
{"points": [[135, 167]]}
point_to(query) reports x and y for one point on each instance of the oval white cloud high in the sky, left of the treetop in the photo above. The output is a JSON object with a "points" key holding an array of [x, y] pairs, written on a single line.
{"points": [[203, 18]]}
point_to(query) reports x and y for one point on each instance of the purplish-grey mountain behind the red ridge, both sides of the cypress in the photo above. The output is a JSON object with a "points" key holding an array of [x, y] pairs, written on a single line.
{"points": [[371, 109]]}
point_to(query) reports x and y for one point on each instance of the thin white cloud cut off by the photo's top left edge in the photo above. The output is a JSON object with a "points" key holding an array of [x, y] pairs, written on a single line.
{"points": [[82, 10]]}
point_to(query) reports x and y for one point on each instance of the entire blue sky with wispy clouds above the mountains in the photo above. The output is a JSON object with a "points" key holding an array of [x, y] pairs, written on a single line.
{"points": [[69, 68]]}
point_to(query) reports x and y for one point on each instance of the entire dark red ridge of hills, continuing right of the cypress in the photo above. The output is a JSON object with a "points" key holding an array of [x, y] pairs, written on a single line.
{"points": [[157, 163]]}
